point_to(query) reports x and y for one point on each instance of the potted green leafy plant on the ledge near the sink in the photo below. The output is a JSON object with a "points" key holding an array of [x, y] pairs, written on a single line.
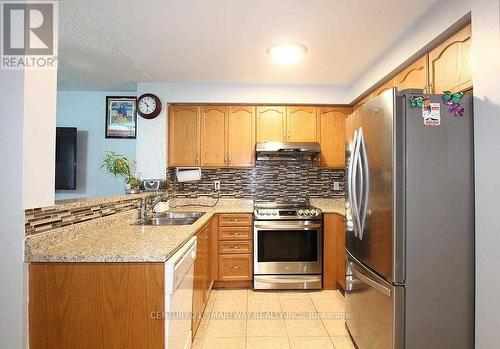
{"points": [[119, 166]]}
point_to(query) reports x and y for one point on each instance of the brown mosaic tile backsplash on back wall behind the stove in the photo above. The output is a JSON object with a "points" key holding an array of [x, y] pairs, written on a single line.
{"points": [[281, 181]]}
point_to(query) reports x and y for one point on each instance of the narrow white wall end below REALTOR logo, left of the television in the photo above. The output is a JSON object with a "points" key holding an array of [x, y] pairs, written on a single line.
{"points": [[39, 152]]}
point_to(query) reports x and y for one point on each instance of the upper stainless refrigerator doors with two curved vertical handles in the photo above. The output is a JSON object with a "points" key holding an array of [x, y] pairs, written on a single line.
{"points": [[371, 172]]}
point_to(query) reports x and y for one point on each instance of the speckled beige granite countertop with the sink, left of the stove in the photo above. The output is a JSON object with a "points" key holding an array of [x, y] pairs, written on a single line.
{"points": [[114, 239]]}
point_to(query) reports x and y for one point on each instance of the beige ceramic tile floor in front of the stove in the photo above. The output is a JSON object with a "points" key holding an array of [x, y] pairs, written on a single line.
{"points": [[247, 319]]}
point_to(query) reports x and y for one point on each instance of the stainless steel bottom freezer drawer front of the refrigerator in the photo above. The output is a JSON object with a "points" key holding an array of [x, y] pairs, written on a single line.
{"points": [[374, 309]]}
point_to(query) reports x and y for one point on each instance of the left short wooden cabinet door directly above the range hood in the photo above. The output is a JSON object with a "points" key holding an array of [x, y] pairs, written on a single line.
{"points": [[271, 124]]}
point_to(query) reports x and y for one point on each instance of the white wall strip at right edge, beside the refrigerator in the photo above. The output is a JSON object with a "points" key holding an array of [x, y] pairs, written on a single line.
{"points": [[486, 79]]}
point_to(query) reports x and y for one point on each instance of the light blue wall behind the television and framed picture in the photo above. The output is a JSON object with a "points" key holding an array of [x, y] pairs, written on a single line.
{"points": [[86, 111]]}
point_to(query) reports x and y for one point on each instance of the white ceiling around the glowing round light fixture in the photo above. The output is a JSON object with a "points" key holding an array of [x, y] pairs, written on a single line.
{"points": [[113, 44]]}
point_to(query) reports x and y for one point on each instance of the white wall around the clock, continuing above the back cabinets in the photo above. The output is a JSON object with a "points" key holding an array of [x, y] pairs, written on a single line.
{"points": [[151, 137]]}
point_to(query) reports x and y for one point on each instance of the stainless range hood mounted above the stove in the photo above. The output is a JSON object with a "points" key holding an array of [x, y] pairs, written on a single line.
{"points": [[287, 151]]}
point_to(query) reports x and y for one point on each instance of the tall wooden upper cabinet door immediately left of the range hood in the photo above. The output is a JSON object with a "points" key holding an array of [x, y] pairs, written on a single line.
{"points": [[241, 136]]}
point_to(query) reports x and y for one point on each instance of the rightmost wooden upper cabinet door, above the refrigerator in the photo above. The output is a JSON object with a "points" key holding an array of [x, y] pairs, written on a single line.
{"points": [[450, 63]]}
